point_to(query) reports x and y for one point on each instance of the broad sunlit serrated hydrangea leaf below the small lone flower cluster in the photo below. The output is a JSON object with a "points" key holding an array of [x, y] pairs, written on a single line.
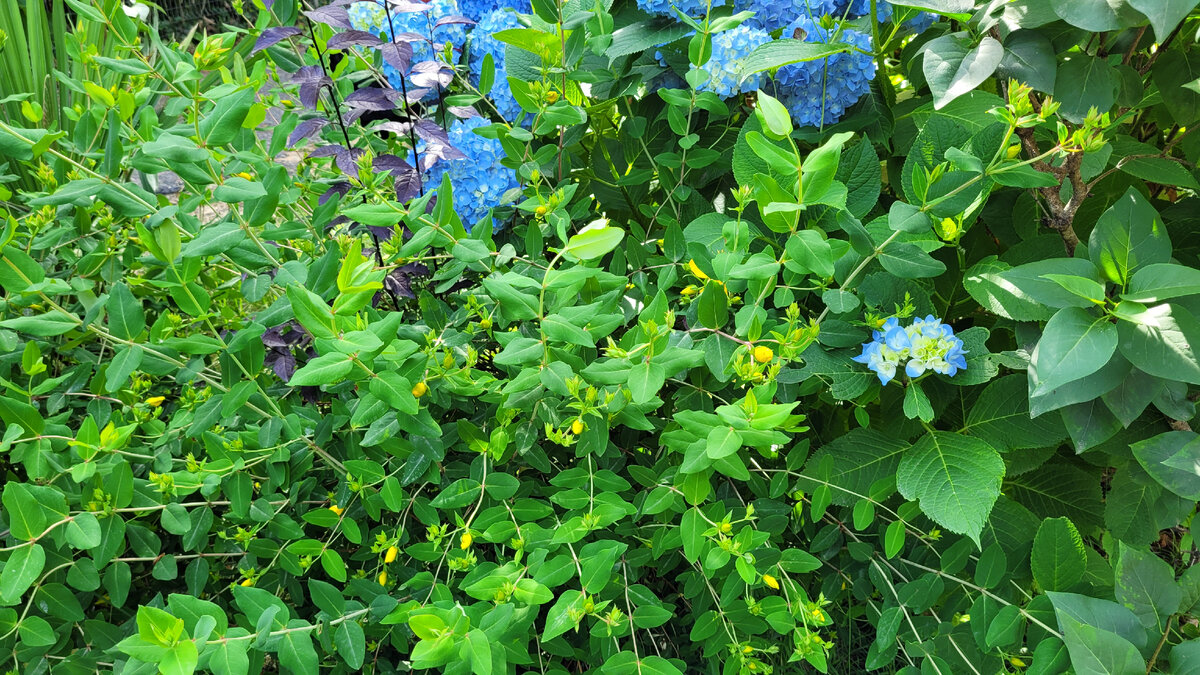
{"points": [[957, 480]]}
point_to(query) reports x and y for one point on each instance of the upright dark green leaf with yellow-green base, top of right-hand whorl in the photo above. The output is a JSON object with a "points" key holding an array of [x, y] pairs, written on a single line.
{"points": [[1129, 236]]}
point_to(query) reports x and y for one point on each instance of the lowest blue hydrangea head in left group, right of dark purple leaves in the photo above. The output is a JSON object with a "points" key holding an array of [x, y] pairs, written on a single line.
{"points": [[479, 181]]}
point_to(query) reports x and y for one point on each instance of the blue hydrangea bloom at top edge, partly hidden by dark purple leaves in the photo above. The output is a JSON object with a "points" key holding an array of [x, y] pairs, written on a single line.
{"points": [[373, 17]]}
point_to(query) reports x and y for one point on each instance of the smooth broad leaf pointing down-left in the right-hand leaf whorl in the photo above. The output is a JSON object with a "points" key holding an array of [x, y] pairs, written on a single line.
{"points": [[1073, 345]]}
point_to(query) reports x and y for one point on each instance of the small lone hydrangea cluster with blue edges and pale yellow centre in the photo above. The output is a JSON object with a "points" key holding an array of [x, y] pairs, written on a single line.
{"points": [[927, 345]]}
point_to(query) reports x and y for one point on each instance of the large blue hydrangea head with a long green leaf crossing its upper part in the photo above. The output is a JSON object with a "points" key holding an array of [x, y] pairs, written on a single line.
{"points": [[819, 93]]}
